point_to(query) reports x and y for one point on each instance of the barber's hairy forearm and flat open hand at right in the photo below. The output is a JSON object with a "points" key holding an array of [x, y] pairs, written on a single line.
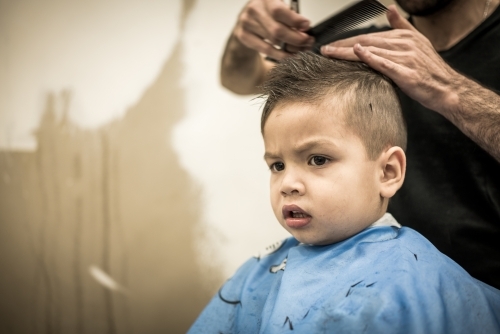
{"points": [[409, 59]]}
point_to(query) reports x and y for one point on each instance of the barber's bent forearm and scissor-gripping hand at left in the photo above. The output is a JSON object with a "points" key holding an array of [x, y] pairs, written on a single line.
{"points": [[261, 25]]}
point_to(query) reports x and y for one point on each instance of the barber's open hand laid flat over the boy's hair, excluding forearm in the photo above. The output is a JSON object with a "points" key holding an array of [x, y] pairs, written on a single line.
{"points": [[407, 57]]}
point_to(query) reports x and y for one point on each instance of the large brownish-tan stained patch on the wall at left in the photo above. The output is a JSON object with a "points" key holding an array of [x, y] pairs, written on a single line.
{"points": [[115, 197]]}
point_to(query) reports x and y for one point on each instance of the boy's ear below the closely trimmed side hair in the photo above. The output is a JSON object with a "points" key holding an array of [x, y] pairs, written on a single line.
{"points": [[393, 169]]}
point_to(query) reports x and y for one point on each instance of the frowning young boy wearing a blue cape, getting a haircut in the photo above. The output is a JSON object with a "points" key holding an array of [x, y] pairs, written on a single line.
{"points": [[334, 139]]}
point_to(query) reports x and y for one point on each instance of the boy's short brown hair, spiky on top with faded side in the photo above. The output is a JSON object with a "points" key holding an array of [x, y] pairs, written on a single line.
{"points": [[372, 107]]}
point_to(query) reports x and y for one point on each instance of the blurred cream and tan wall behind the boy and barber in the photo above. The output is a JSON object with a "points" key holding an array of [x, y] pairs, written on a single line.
{"points": [[132, 185]]}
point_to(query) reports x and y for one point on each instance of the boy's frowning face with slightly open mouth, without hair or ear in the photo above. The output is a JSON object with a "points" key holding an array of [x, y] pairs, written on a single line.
{"points": [[323, 186]]}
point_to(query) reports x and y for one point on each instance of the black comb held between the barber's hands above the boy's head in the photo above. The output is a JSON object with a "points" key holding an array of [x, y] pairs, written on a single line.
{"points": [[347, 19]]}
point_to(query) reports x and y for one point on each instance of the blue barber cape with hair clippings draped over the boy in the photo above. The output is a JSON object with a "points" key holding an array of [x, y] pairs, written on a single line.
{"points": [[383, 280]]}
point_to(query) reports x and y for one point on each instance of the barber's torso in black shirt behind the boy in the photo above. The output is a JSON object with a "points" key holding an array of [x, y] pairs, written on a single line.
{"points": [[452, 189]]}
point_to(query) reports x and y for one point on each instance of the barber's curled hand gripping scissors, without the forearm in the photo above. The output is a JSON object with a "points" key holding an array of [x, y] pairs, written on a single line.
{"points": [[264, 23]]}
